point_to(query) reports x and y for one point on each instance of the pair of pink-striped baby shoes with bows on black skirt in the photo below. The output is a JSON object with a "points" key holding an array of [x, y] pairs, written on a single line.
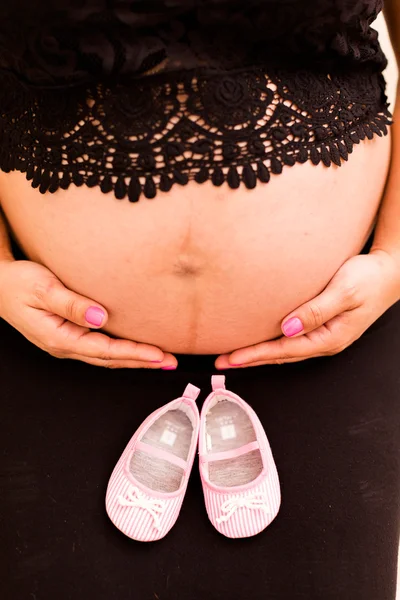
{"points": [[238, 473]]}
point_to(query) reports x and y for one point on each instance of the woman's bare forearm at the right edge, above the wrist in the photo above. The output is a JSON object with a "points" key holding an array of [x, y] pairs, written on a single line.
{"points": [[387, 232]]}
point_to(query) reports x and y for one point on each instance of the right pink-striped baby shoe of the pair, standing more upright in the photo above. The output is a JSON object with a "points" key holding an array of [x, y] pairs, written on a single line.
{"points": [[240, 481]]}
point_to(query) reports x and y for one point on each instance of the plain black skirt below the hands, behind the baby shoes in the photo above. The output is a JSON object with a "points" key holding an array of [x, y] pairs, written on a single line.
{"points": [[334, 428]]}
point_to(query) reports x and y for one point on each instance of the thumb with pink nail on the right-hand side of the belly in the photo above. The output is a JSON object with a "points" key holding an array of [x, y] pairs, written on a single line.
{"points": [[316, 312]]}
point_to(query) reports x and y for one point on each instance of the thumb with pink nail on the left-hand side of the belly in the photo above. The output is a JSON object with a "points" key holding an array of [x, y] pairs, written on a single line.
{"points": [[74, 307]]}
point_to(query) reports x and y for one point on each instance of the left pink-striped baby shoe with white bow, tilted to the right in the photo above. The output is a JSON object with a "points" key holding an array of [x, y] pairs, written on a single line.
{"points": [[148, 484]]}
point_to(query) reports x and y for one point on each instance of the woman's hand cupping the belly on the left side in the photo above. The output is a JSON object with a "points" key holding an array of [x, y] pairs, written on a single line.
{"points": [[35, 302]]}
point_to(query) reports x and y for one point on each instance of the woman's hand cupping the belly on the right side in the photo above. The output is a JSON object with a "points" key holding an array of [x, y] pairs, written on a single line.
{"points": [[362, 289]]}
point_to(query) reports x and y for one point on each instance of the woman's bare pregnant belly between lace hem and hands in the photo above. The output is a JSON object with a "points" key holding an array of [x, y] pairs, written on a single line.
{"points": [[202, 269]]}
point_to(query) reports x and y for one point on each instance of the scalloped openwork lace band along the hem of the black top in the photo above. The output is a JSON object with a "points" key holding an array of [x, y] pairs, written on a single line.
{"points": [[152, 133]]}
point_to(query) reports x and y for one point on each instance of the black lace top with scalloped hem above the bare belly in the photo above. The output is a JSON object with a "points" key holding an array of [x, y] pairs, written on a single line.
{"points": [[136, 96]]}
